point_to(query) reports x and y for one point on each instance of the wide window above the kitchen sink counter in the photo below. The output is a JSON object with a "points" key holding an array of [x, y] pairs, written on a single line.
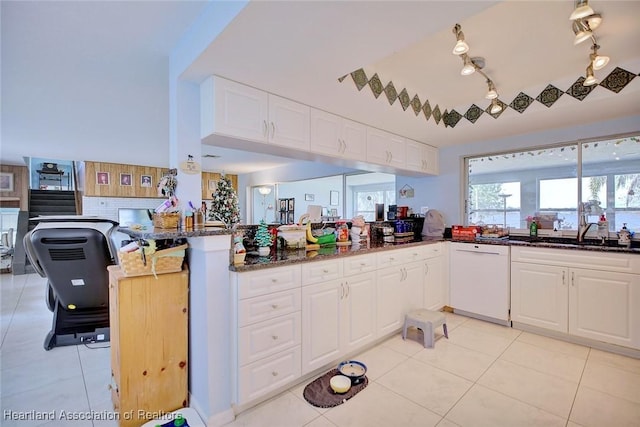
{"points": [[543, 182]]}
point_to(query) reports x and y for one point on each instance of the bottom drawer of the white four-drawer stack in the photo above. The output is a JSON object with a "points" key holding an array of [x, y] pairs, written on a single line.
{"points": [[269, 374]]}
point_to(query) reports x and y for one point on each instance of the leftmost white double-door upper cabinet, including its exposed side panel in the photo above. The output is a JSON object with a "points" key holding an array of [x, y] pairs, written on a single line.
{"points": [[233, 109]]}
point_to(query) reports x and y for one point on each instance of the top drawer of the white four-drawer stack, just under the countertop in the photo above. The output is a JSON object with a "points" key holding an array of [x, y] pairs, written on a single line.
{"points": [[262, 282]]}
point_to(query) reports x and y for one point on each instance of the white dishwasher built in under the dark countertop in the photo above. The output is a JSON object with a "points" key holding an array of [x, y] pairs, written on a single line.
{"points": [[480, 281]]}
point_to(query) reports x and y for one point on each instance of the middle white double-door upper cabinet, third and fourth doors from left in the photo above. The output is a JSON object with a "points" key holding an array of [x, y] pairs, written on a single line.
{"points": [[337, 136]]}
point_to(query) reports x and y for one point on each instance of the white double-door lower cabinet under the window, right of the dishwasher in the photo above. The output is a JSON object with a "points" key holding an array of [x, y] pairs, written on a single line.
{"points": [[594, 302]]}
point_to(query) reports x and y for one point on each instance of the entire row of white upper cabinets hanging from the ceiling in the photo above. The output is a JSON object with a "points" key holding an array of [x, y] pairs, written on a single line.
{"points": [[251, 119]]}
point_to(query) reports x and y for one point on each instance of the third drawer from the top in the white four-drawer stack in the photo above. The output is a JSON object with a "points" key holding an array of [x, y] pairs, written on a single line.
{"points": [[266, 338]]}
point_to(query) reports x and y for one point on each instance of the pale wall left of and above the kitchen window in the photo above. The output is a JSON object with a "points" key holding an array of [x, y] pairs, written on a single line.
{"points": [[443, 192]]}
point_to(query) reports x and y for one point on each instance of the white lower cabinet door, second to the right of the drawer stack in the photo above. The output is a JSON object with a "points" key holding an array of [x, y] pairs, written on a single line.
{"points": [[358, 308]]}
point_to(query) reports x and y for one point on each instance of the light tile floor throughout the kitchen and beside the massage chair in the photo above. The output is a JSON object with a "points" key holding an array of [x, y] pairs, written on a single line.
{"points": [[484, 375]]}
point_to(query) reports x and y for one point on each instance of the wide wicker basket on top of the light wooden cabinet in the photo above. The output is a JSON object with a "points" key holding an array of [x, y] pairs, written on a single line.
{"points": [[163, 261]]}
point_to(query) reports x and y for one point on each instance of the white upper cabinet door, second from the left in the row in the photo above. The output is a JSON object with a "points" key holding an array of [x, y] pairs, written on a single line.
{"points": [[288, 123]]}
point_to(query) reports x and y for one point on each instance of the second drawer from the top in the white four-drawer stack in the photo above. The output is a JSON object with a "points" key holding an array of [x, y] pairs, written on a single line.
{"points": [[267, 307]]}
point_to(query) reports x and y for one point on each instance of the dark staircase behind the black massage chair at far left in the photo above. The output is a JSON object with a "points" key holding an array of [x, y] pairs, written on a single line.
{"points": [[41, 203]]}
